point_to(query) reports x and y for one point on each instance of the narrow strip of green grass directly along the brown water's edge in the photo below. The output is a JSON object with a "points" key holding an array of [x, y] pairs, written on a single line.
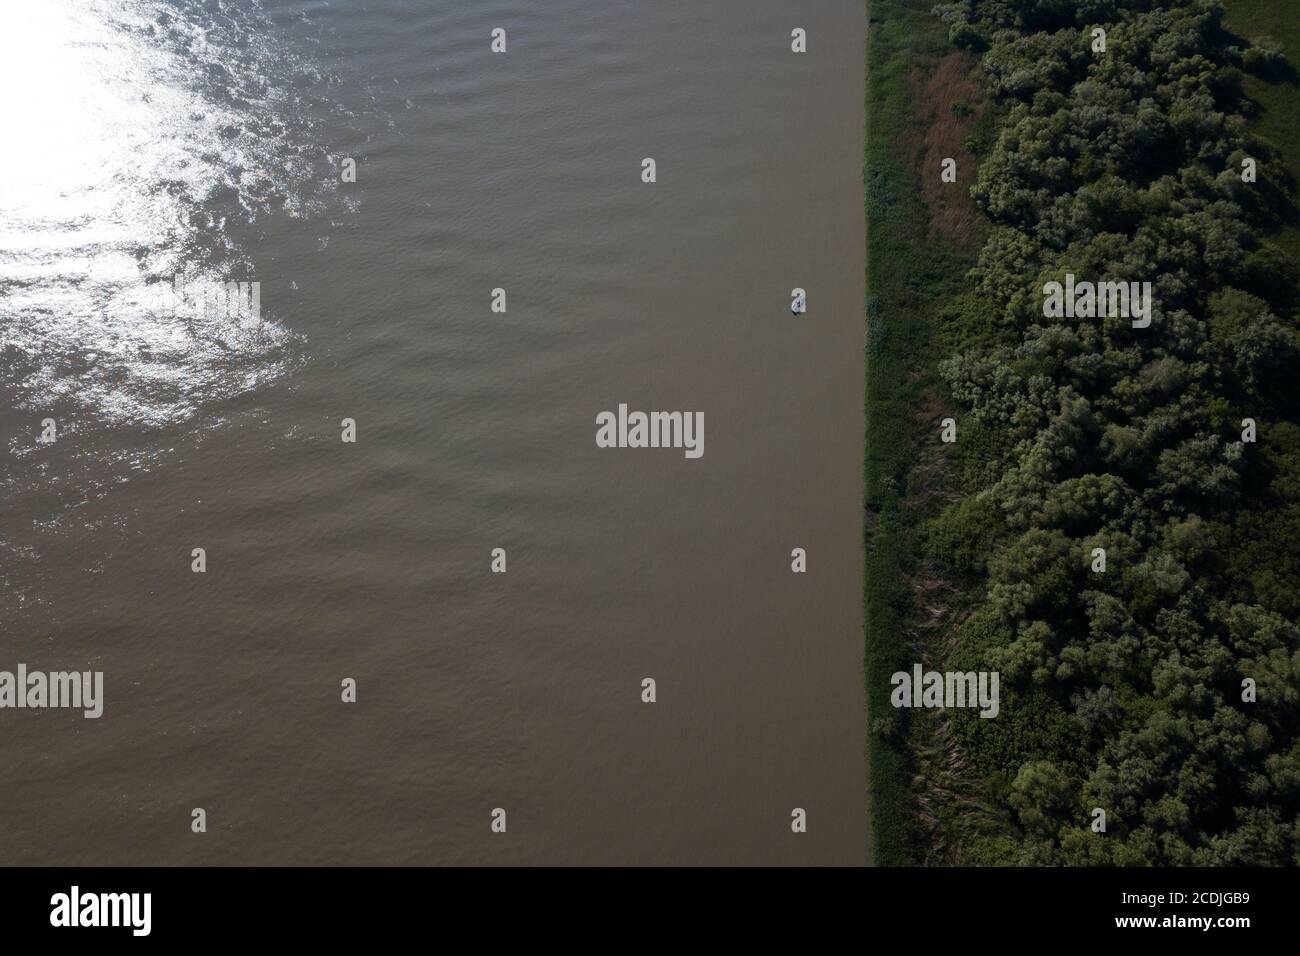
{"points": [[909, 275]]}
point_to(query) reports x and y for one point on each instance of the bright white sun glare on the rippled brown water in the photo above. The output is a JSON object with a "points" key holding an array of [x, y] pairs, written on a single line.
{"points": [[133, 137]]}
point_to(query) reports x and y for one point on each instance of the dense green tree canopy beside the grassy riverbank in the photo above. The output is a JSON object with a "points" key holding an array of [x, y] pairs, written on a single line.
{"points": [[1164, 690]]}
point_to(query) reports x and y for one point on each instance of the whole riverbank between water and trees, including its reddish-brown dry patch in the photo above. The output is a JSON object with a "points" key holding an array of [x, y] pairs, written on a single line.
{"points": [[924, 235]]}
